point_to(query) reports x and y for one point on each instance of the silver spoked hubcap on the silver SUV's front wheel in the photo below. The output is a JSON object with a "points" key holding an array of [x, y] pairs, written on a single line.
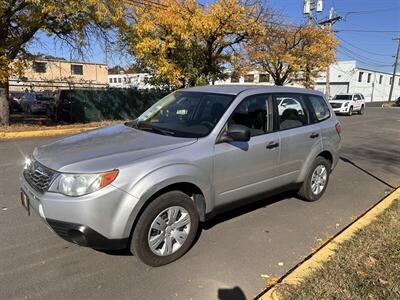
{"points": [[169, 231]]}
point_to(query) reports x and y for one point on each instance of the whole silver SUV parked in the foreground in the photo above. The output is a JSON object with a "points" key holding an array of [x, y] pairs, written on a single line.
{"points": [[147, 184]]}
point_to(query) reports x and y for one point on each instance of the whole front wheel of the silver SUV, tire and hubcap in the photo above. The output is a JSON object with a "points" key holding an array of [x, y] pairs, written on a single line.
{"points": [[164, 204]]}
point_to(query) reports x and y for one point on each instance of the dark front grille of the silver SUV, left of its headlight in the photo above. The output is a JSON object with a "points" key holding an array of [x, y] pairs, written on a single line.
{"points": [[38, 176]]}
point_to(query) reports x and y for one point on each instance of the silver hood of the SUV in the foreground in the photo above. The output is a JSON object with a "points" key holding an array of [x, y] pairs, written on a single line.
{"points": [[104, 149]]}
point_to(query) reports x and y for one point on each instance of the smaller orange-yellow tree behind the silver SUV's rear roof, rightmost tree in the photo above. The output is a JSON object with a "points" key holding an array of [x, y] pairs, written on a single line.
{"points": [[291, 53]]}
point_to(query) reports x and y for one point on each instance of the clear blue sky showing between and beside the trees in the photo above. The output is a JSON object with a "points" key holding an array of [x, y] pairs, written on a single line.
{"points": [[365, 33]]}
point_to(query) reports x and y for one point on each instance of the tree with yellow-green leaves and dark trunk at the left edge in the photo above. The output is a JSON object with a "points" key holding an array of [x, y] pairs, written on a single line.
{"points": [[70, 20]]}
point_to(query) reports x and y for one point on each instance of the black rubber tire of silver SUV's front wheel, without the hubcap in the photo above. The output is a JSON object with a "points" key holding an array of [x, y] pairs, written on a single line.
{"points": [[139, 242]]}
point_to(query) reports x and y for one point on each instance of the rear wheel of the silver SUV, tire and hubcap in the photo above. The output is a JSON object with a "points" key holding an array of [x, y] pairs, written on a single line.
{"points": [[306, 191]]}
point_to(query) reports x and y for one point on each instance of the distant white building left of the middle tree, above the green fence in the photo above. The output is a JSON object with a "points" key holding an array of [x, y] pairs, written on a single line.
{"points": [[135, 80]]}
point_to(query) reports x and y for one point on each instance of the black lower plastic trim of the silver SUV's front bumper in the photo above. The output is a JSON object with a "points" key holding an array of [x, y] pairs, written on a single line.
{"points": [[85, 236]]}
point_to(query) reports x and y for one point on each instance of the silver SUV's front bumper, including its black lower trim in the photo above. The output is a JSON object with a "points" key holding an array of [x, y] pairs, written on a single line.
{"points": [[98, 220]]}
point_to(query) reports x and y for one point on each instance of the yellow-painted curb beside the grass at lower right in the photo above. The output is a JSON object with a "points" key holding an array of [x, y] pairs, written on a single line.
{"points": [[313, 262]]}
